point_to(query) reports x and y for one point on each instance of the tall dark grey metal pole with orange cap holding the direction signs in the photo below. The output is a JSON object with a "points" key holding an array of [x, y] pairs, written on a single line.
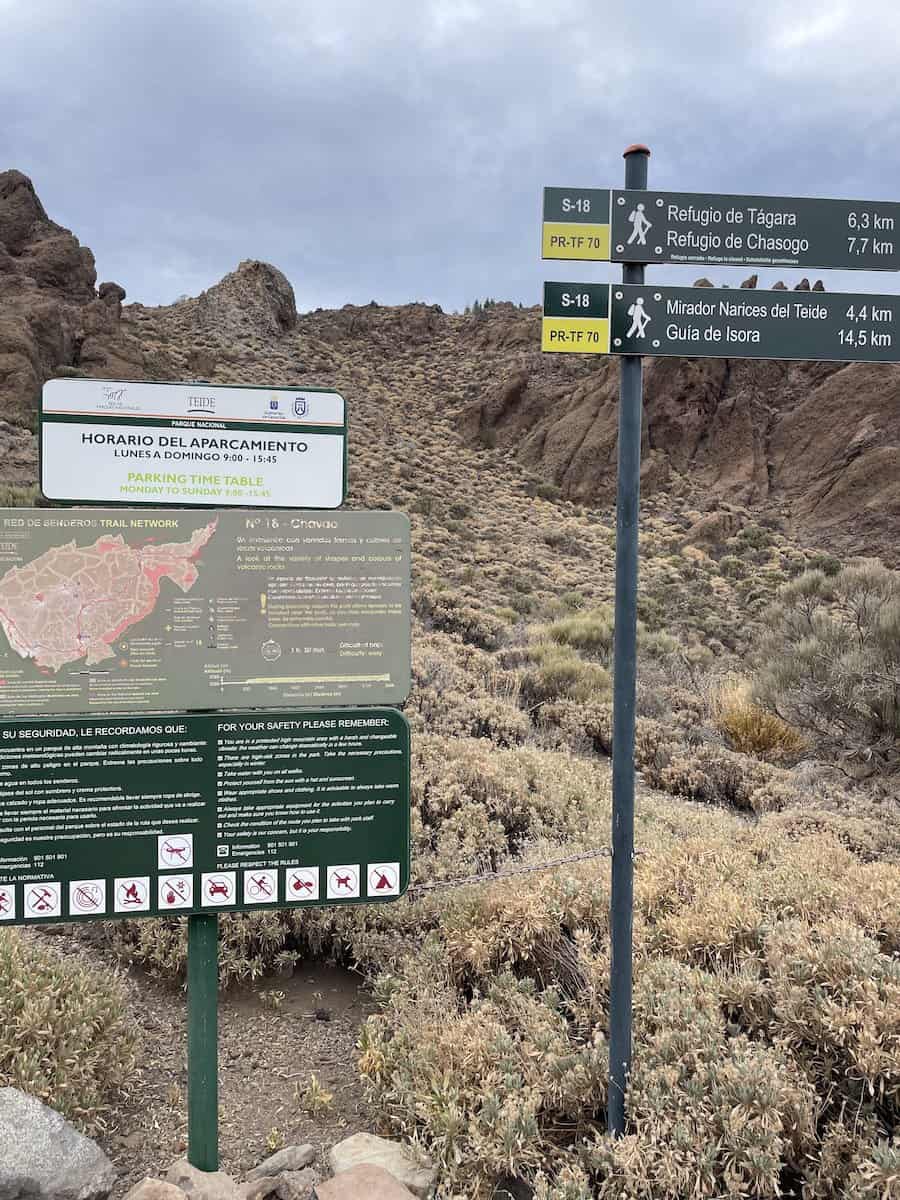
{"points": [[625, 674]]}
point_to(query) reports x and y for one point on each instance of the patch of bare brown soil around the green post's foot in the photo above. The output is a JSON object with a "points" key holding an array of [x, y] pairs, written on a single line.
{"points": [[272, 1037]]}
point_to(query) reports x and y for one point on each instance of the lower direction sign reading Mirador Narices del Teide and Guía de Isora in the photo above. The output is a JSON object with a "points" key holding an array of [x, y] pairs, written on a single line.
{"points": [[728, 323]]}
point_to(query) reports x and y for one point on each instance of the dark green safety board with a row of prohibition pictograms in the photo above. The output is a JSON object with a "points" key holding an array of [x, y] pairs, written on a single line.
{"points": [[151, 817]]}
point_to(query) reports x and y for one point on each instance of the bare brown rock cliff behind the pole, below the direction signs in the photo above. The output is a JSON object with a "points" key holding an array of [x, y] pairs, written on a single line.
{"points": [[817, 443]]}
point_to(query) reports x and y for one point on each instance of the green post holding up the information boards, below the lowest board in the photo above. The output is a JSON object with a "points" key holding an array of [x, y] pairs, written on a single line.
{"points": [[202, 1042]]}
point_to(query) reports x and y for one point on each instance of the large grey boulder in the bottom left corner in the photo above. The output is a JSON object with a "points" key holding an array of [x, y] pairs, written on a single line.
{"points": [[43, 1157]]}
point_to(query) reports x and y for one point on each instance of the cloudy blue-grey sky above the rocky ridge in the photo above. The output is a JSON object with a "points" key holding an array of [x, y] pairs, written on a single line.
{"points": [[397, 149]]}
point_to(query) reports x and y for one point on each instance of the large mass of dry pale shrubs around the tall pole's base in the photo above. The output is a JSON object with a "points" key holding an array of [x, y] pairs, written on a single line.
{"points": [[767, 1010]]}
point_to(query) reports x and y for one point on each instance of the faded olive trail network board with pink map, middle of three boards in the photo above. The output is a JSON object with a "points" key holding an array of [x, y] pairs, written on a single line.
{"points": [[112, 610]]}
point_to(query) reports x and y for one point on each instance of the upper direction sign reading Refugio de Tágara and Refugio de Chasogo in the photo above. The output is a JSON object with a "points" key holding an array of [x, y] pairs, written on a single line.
{"points": [[709, 230]]}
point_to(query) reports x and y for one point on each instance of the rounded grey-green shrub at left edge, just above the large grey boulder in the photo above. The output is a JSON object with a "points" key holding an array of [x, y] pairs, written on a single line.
{"points": [[65, 1035]]}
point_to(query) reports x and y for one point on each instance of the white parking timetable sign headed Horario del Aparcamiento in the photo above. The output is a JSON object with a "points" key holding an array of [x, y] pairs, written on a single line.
{"points": [[193, 443]]}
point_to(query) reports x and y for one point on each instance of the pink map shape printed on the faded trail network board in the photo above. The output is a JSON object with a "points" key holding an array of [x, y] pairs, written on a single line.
{"points": [[73, 603]]}
